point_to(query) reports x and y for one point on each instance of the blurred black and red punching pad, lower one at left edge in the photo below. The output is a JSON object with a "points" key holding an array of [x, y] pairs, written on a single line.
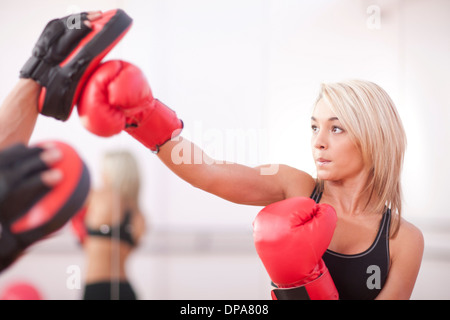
{"points": [[29, 209]]}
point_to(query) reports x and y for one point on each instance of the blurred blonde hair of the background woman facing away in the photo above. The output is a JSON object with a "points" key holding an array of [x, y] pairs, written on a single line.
{"points": [[122, 173]]}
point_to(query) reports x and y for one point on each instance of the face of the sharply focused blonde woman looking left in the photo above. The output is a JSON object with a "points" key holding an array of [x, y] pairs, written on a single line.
{"points": [[336, 157]]}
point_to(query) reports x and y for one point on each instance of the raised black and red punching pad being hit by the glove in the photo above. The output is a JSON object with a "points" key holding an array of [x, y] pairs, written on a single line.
{"points": [[66, 53]]}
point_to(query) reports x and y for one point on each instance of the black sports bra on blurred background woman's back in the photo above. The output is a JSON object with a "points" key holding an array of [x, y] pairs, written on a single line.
{"points": [[122, 232]]}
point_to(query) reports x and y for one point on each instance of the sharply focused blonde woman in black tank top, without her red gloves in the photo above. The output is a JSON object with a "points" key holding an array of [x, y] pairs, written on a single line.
{"points": [[358, 143]]}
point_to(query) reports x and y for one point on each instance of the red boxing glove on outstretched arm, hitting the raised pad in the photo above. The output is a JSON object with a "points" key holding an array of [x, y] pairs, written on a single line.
{"points": [[117, 97]]}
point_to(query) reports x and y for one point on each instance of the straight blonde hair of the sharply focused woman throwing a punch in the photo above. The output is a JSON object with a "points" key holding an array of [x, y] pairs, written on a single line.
{"points": [[373, 123]]}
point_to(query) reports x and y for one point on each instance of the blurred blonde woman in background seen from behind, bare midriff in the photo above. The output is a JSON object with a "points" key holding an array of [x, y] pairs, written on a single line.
{"points": [[114, 225]]}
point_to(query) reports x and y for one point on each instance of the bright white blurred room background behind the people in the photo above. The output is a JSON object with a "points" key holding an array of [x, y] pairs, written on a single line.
{"points": [[243, 76]]}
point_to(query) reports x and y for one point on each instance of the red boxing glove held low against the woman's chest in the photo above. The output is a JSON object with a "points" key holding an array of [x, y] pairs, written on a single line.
{"points": [[291, 237]]}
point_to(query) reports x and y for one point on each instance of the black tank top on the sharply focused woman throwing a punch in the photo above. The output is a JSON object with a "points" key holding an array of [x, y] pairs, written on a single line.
{"points": [[360, 276]]}
